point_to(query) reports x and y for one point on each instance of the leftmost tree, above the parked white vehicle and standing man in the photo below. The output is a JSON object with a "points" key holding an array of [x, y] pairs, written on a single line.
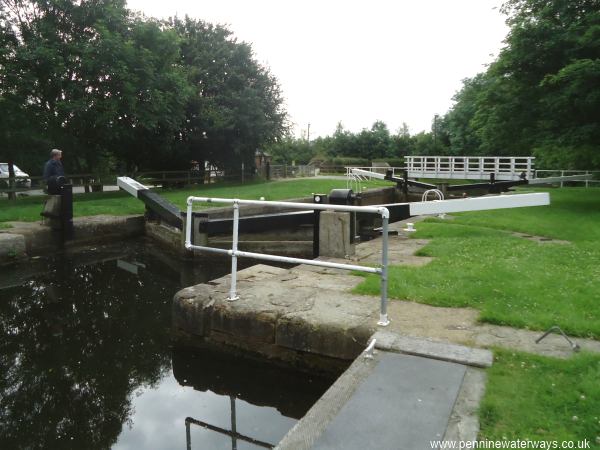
{"points": [[46, 66]]}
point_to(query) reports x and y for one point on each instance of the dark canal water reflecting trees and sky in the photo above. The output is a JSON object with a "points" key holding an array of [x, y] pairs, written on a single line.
{"points": [[86, 361]]}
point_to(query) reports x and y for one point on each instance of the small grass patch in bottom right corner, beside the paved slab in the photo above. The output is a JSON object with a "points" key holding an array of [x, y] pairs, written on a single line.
{"points": [[539, 398]]}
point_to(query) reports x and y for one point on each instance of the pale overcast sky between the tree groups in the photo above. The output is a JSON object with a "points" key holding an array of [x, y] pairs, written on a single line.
{"points": [[358, 61]]}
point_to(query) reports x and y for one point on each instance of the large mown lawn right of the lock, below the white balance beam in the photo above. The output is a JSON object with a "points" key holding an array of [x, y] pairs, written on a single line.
{"points": [[511, 280]]}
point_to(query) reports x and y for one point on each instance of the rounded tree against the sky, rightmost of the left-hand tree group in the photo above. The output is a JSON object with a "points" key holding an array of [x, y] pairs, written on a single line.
{"points": [[236, 106]]}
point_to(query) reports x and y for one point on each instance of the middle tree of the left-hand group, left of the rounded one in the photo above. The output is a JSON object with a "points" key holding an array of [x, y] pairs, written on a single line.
{"points": [[149, 91]]}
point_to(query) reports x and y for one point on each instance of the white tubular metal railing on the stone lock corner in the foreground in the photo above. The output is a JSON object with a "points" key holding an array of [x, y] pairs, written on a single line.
{"points": [[235, 253]]}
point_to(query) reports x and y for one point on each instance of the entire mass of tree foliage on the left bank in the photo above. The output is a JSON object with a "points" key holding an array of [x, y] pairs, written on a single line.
{"points": [[103, 84]]}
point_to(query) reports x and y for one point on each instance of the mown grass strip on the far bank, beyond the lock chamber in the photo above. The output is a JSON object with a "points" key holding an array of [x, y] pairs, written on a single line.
{"points": [[27, 209]]}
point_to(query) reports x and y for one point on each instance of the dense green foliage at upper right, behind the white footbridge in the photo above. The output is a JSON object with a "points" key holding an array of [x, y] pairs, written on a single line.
{"points": [[542, 94]]}
